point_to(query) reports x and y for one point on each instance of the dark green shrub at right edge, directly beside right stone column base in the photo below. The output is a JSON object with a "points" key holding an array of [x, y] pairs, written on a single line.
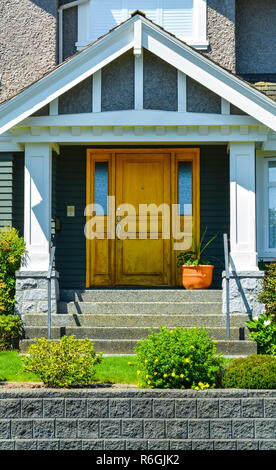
{"points": [[268, 294]]}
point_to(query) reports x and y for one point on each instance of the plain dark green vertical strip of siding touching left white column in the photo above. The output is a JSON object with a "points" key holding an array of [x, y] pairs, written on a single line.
{"points": [[18, 192]]}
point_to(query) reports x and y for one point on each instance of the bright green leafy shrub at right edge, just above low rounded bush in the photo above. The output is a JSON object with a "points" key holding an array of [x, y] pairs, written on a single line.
{"points": [[263, 331]]}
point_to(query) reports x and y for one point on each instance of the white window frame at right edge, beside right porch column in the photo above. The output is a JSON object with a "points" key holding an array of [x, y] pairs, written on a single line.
{"points": [[262, 202]]}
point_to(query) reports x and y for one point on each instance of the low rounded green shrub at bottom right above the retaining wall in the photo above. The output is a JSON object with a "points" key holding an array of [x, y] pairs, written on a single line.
{"points": [[252, 372]]}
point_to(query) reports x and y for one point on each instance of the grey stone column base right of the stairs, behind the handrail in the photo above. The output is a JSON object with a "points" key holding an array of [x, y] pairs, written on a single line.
{"points": [[244, 288]]}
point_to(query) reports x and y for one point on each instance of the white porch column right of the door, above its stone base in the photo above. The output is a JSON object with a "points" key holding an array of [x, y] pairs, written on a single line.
{"points": [[243, 207]]}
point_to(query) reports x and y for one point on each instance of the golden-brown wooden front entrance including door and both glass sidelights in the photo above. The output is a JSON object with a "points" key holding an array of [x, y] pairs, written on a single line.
{"points": [[134, 244]]}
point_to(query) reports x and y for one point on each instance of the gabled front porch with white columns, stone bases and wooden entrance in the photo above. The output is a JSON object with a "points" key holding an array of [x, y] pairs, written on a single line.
{"points": [[138, 90]]}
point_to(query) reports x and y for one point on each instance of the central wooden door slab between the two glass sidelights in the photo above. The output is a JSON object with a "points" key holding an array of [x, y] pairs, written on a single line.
{"points": [[142, 179]]}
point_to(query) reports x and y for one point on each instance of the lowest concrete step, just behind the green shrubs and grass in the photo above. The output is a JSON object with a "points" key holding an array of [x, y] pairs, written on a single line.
{"points": [[125, 346]]}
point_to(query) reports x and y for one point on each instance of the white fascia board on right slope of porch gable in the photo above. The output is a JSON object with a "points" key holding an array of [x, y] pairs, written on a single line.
{"points": [[210, 75]]}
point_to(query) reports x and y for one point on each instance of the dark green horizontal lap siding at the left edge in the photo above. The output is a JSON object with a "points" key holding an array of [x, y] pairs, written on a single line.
{"points": [[6, 170]]}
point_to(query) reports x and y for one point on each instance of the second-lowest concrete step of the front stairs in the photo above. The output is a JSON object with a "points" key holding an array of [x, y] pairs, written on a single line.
{"points": [[102, 333]]}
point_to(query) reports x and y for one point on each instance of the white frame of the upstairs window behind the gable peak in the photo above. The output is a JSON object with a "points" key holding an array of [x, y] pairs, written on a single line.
{"points": [[198, 40]]}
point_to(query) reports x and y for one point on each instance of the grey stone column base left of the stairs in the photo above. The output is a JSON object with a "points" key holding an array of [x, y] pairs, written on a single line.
{"points": [[32, 292]]}
